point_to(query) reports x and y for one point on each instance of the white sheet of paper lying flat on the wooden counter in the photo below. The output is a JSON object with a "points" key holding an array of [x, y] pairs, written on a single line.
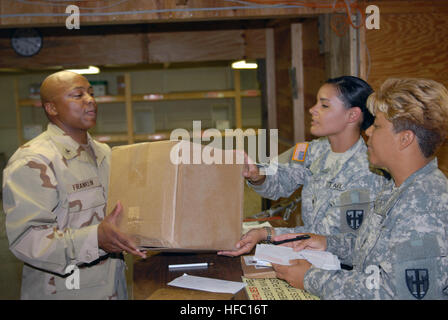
{"points": [[207, 284]]}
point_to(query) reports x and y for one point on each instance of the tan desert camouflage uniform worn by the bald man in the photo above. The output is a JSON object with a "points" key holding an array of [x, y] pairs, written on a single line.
{"points": [[54, 198]]}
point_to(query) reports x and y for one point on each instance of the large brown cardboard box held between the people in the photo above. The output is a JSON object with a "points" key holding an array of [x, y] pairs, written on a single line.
{"points": [[175, 207]]}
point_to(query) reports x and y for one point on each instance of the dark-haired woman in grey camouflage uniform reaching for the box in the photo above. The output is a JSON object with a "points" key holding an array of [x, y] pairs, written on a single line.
{"points": [[338, 184]]}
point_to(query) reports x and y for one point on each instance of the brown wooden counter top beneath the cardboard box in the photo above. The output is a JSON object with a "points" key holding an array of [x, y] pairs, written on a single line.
{"points": [[151, 275]]}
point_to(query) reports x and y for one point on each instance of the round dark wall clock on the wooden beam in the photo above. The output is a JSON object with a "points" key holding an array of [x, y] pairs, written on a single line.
{"points": [[26, 41]]}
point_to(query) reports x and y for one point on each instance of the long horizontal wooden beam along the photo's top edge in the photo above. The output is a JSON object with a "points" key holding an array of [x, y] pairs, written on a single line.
{"points": [[46, 13]]}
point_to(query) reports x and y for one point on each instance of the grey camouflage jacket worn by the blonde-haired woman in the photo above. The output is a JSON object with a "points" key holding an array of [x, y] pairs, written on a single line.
{"points": [[401, 249]]}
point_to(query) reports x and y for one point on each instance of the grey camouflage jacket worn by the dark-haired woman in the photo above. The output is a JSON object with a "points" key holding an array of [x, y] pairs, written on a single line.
{"points": [[333, 199]]}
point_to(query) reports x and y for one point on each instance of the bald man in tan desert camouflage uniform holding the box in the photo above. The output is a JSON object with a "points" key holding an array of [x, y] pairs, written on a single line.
{"points": [[55, 190]]}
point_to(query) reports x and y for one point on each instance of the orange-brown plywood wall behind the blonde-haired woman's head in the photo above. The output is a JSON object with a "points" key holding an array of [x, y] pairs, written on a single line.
{"points": [[411, 42]]}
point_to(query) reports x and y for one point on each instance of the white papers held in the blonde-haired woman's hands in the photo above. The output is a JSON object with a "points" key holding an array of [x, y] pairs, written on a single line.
{"points": [[282, 255]]}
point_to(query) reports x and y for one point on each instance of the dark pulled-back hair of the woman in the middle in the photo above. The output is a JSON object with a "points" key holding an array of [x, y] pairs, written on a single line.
{"points": [[354, 93]]}
